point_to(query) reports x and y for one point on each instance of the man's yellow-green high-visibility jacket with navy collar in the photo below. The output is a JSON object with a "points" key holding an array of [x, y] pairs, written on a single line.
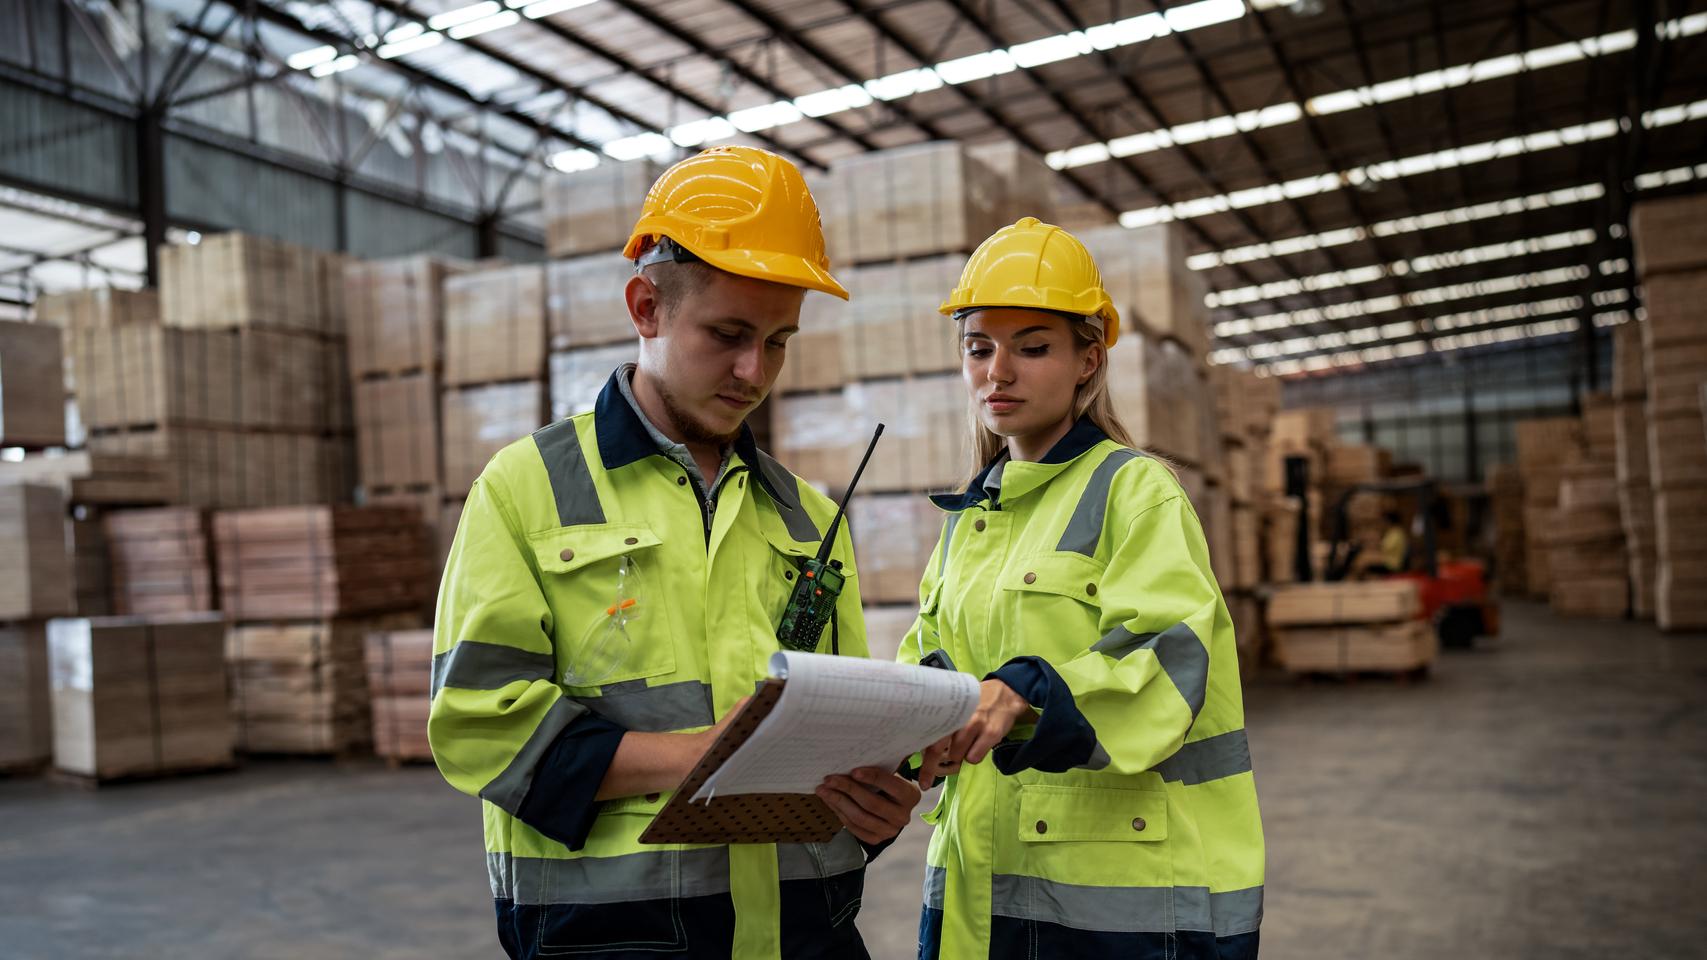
{"points": [[559, 534]]}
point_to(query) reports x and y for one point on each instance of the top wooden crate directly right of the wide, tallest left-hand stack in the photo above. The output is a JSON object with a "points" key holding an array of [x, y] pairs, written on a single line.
{"points": [[397, 313]]}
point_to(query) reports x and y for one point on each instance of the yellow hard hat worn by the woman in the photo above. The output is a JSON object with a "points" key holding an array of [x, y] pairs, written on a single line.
{"points": [[1035, 266]]}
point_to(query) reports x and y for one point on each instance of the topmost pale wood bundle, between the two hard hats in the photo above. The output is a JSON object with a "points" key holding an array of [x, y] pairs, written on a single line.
{"points": [[911, 202]]}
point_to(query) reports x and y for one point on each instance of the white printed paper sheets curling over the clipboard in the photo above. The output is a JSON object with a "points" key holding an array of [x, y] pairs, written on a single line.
{"points": [[839, 713]]}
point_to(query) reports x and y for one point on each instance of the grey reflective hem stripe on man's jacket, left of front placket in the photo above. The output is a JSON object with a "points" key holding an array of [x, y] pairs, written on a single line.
{"points": [[651, 875]]}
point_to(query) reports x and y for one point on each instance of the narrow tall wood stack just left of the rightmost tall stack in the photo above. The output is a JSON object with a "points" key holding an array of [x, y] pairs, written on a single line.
{"points": [[1636, 496]]}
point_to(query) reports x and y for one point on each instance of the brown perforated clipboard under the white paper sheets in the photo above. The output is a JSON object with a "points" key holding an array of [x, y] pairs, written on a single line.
{"points": [[743, 819]]}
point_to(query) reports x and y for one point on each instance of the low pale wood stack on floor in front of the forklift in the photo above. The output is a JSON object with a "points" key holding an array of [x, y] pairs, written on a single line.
{"points": [[1351, 628]]}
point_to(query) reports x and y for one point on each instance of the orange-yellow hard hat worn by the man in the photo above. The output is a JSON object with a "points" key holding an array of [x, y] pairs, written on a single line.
{"points": [[743, 211]]}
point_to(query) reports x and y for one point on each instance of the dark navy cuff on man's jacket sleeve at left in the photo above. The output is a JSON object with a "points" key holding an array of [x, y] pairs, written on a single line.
{"points": [[559, 802]]}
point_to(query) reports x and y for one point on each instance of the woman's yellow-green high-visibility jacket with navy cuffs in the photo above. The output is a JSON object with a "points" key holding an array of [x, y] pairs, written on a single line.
{"points": [[1124, 822]]}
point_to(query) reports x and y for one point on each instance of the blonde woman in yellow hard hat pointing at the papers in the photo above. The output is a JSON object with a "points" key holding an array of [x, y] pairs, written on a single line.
{"points": [[1117, 814]]}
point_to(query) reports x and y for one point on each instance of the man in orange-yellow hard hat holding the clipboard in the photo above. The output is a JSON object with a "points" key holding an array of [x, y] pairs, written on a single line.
{"points": [[615, 587]]}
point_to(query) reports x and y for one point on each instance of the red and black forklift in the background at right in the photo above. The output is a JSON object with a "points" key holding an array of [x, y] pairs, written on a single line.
{"points": [[1455, 595]]}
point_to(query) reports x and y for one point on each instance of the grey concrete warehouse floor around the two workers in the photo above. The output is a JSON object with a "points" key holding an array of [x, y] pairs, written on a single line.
{"points": [[1535, 799]]}
